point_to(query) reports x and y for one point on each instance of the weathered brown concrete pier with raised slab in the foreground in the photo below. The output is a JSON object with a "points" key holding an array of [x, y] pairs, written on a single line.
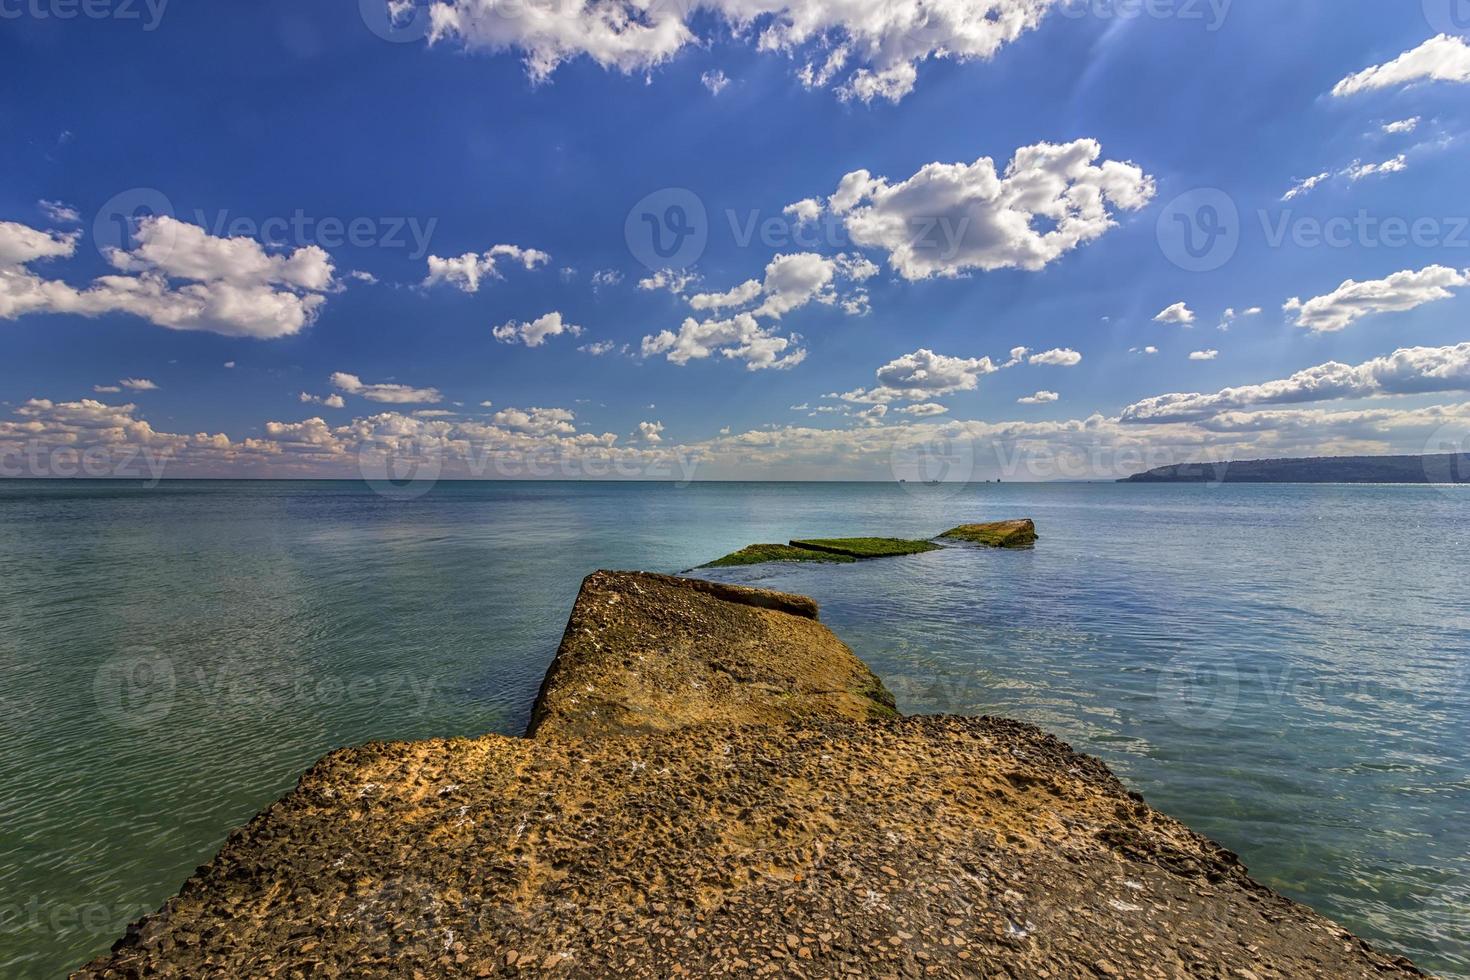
{"points": [[715, 785]]}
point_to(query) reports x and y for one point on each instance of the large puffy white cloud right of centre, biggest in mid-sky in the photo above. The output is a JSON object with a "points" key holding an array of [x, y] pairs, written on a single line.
{"points": [[950, 220]]}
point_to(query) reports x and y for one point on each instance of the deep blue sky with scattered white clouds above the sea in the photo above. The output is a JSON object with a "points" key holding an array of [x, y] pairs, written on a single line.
{"points": [[953, 240]]}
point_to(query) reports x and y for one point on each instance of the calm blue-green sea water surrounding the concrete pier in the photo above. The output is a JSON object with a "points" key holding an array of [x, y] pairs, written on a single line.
{"points": [[1287, 669]]}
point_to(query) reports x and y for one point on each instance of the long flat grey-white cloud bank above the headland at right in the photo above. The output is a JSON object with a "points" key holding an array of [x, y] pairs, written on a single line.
{"points": [[1405, 372]]}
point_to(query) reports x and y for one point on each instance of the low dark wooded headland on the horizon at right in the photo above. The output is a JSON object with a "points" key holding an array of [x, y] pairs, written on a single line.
{"points": [[1449, 468]]}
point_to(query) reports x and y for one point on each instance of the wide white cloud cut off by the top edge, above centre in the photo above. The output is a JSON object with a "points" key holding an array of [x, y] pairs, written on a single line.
{"points": [[865, 51]]}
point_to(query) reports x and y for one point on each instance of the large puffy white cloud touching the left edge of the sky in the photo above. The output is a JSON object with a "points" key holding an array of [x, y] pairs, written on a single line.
{"points": [[230, 286]]}
